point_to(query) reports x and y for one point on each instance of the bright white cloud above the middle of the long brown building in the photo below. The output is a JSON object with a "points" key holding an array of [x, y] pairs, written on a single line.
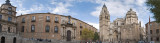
{"points": [[62, 8]]}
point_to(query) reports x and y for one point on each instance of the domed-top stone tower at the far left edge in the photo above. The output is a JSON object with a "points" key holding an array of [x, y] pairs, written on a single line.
{"points": [[8, 17]]}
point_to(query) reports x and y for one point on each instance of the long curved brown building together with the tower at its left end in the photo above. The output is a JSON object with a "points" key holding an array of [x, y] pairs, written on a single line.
{"points": [[35, 27]]}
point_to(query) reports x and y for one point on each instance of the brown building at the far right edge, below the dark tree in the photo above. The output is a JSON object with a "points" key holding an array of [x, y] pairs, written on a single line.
{"points": [[154, 31]]}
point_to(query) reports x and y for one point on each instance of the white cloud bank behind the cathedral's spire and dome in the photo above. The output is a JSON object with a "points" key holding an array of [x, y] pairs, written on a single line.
{"points": [[119, 8]]}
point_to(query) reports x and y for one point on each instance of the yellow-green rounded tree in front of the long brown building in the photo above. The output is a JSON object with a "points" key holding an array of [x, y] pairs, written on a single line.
{"points": [[87, 34]]}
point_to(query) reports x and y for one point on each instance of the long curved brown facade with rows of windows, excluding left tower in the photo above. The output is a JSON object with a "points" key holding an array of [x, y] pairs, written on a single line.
{"points": [[51, 26]]}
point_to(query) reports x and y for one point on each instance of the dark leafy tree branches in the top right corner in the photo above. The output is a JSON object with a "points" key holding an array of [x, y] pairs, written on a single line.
{"points": [[154, 7]]}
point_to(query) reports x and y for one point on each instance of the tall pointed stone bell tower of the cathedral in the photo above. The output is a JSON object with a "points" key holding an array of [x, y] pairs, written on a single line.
{"points": [[104, 20]]}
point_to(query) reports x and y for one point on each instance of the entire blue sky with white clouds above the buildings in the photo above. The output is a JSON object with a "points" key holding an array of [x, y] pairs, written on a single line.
{"points": [[85, 10]]}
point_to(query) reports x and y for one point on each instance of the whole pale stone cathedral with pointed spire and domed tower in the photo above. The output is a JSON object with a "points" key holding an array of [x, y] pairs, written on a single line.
{"points": [[124, 30]]}
